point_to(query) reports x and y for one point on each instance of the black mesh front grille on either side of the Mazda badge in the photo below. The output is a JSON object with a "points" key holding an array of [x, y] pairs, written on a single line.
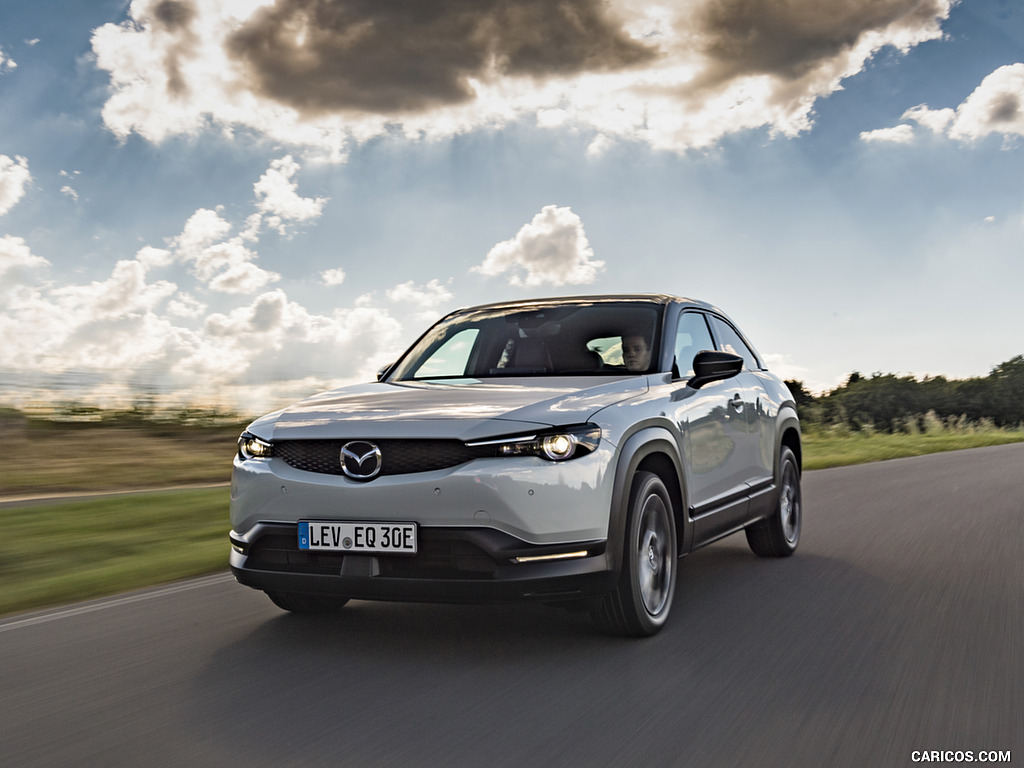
{"points": [[398, 457]]}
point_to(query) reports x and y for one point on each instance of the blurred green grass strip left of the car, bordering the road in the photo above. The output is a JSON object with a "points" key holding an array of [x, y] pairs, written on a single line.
{"points": [[60, 553]]}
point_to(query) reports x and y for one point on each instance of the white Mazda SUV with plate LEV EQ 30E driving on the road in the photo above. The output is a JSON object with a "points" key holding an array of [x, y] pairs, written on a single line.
{"points": [[565, 450]]}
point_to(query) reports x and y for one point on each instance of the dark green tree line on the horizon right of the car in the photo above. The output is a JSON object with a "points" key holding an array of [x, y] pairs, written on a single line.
{"points": [[887, 403]]}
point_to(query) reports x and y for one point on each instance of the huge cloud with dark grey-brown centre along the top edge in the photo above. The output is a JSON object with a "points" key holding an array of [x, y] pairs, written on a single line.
{"points": [[675, 74]]}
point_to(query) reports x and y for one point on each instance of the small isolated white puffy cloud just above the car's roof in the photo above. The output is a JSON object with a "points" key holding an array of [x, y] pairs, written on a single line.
{"points": [[552, 249]]}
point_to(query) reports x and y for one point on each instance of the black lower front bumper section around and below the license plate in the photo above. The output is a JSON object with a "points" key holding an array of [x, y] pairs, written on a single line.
{"points": [[472, 565]]}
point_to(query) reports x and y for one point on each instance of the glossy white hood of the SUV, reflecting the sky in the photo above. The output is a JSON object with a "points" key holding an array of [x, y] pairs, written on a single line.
{"points": [[463, 409]]}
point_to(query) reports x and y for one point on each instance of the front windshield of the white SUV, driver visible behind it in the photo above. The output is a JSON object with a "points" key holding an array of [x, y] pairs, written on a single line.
{"points": [[610, 338]]}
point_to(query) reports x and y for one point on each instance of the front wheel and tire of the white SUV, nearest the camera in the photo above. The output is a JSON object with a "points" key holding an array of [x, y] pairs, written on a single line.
{"points": [[639, 606]]}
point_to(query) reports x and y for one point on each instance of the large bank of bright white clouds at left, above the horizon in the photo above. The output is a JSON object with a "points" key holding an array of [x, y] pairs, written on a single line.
{"points": [[135, 328]]}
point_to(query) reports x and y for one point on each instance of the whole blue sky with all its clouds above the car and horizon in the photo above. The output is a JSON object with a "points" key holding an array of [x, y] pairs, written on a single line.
{"points": [[239, 203]]}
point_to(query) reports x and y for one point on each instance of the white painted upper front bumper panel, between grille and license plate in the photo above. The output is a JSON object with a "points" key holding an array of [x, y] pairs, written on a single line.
{"points": [[536, 501]]}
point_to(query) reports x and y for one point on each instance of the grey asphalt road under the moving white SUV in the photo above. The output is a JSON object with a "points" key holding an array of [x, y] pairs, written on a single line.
{"points": [[897, 628]]}
